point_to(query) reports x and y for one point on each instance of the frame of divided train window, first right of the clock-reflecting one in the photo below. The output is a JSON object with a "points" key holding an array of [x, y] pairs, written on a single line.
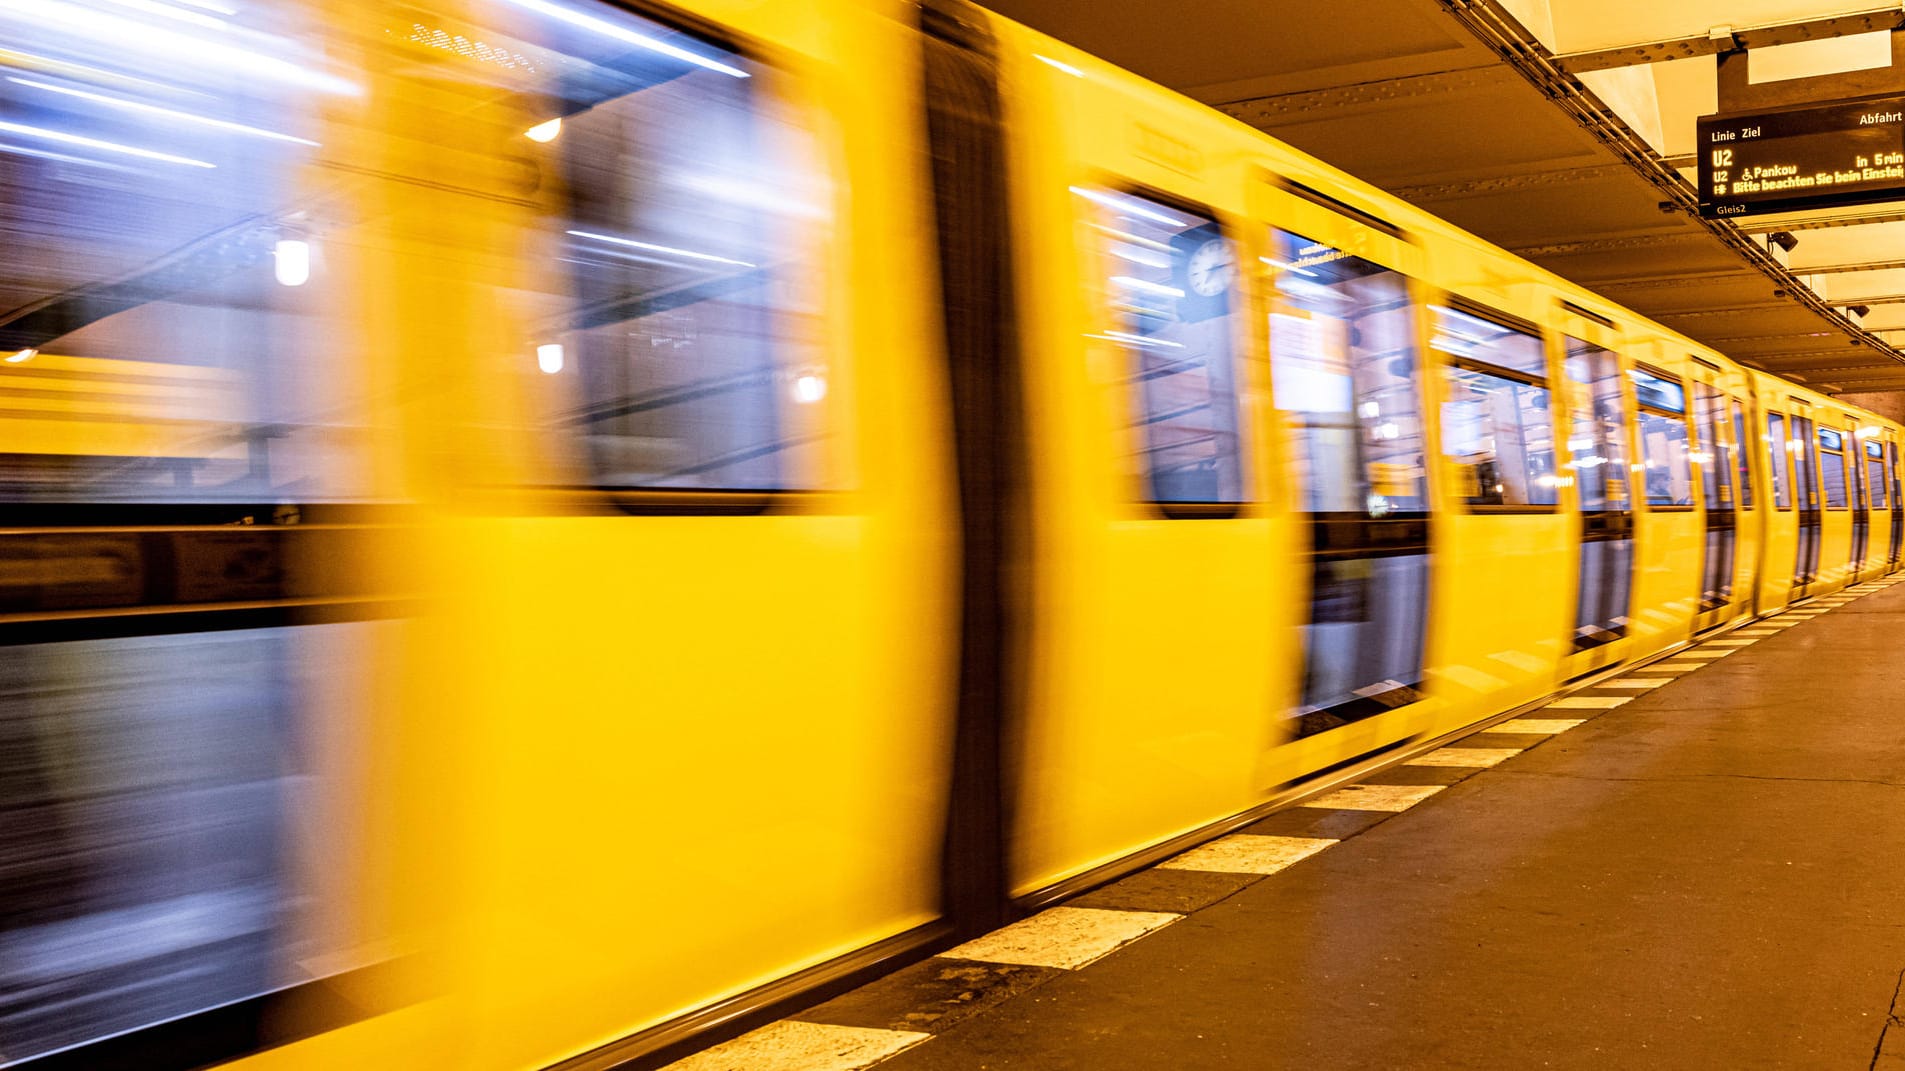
{"points": [[1502, 376]]}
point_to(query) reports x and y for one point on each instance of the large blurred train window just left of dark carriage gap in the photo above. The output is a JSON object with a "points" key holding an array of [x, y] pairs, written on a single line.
{"points": [[687, 352]]}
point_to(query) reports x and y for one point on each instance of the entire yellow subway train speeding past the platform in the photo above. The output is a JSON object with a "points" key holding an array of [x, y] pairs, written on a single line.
{"points": [[548, 533]]}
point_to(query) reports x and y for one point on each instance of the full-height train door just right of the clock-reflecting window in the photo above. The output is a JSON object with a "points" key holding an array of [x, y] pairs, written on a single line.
{"points": [[1344, 367]]}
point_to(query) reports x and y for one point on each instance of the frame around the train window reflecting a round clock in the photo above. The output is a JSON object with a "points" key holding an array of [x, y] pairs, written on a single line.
{"points": [[1241, 346]]}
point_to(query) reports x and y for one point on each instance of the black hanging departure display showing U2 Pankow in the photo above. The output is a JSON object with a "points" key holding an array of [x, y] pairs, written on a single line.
{"points": [[1820, 157]]}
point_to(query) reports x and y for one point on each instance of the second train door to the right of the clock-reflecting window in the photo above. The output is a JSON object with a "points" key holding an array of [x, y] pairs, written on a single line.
{"points": [[1597, 456]]}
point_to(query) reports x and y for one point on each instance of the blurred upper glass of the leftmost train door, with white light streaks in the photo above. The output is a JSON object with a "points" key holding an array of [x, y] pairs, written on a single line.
{"points": [[167, 277]]}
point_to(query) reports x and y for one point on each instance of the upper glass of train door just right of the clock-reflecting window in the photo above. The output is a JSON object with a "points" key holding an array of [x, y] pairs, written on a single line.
{"points": [[1344, 367]]}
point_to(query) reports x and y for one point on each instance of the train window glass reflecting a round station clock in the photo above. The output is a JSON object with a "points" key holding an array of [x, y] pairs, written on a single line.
{"points": [[1171, 283]]}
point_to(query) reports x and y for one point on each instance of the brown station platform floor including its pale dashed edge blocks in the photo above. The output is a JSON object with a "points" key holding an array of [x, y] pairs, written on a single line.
{"points": [[1696, 864]]}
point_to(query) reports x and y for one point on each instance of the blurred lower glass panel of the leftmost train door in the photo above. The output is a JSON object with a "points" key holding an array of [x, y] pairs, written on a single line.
{"points": [[151, 788]]}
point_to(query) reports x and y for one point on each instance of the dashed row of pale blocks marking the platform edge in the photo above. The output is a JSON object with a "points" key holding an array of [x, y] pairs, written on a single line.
{"points": [[1070, 939]]}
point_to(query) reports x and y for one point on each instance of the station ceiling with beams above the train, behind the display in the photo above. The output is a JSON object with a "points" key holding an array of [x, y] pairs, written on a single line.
{"points": [[1565, 132]]}
